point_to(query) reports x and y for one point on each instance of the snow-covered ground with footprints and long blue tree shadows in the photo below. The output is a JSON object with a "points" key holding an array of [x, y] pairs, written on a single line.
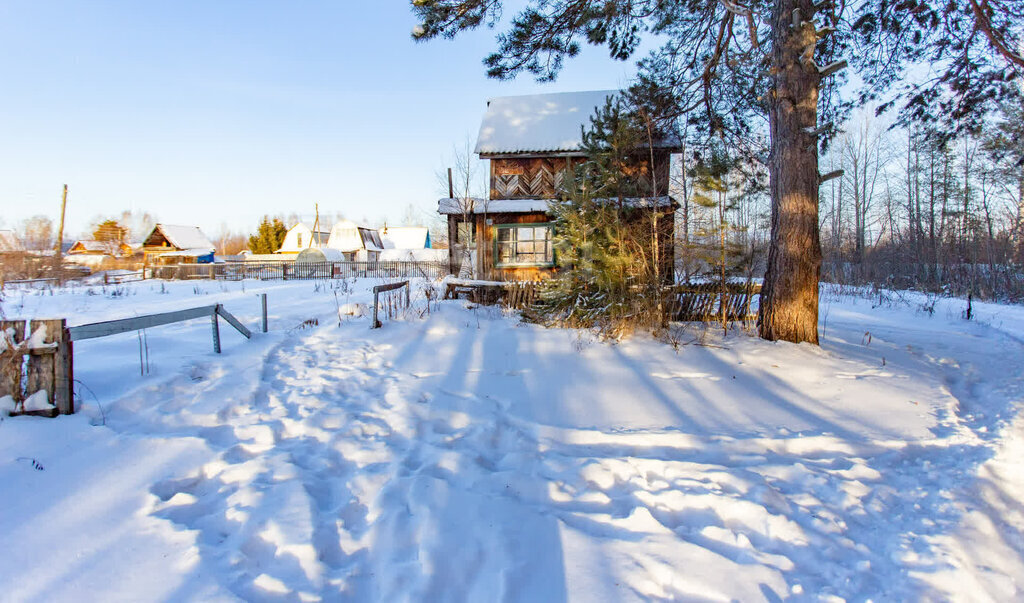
{"points": [[462, 455]]}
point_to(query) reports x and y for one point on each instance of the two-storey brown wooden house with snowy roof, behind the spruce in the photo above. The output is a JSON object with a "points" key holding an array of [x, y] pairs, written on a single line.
{"points": [[533, 144]]}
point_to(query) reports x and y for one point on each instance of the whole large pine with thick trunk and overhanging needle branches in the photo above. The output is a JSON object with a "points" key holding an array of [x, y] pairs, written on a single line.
{"points": [[732, 65]]}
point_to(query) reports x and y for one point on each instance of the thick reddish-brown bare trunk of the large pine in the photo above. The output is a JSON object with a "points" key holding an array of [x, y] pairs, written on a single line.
{"points": [[790, 298]]}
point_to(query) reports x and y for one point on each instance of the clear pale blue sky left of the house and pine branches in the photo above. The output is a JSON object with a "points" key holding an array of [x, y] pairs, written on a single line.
{"points": [[220, 112]]}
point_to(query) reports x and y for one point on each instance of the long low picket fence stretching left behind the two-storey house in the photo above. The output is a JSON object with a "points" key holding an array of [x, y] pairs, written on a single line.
{"points": [[286, 271]]}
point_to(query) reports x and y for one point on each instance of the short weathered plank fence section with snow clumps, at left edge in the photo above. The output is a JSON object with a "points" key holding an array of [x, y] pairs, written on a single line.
{"points": [[40, 385]]}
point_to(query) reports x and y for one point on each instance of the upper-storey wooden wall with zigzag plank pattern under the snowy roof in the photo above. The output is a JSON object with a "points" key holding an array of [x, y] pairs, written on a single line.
{"points": [[542, 178]]}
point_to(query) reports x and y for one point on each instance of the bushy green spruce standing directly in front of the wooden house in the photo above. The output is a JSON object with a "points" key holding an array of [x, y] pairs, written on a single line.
{"points": [[608, 274]]}
